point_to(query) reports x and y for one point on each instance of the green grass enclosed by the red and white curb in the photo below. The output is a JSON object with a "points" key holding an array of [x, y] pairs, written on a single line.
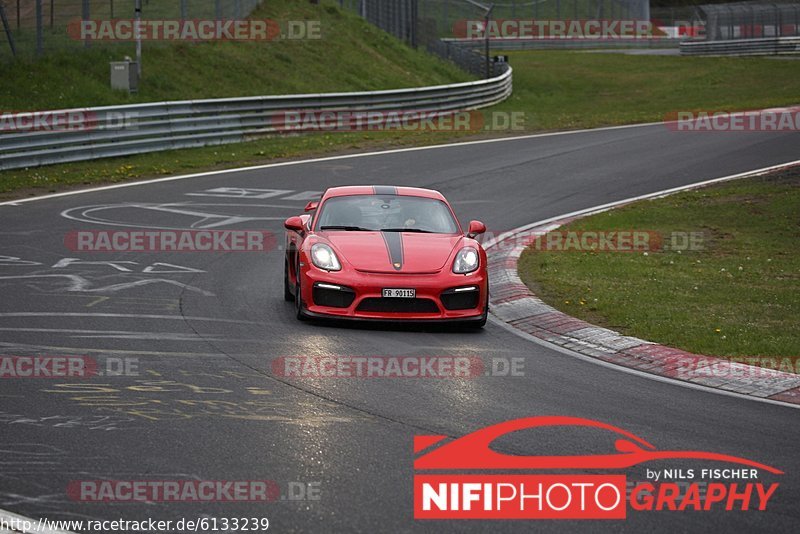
{"points": [[738, 296]]}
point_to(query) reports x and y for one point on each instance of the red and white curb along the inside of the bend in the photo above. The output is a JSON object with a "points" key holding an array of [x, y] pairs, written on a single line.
{"points": [[513, 303]]}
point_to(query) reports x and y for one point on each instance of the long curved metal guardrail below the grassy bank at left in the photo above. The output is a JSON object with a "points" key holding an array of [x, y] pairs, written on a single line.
{"points": [[102, 132]]}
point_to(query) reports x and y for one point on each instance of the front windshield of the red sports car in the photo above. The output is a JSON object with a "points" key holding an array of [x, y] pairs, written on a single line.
{"points": [[389, 213]]}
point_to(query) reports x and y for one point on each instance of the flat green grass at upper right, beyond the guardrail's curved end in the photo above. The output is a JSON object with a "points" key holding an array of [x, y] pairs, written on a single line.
{"points": [[565, 89]]}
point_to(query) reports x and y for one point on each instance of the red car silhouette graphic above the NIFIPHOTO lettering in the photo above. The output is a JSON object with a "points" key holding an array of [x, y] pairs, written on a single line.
{"points": [[473, 450]]}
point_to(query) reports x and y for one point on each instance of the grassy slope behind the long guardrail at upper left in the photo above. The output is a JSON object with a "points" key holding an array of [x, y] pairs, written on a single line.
{"points": [[351, 56]]}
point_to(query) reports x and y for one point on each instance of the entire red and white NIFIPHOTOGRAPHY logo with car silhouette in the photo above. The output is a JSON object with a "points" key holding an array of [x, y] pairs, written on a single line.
{"points": [[447, 494]]}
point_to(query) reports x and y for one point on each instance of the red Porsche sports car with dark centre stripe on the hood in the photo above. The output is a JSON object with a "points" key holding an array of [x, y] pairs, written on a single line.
{"points": [[385, 253]]}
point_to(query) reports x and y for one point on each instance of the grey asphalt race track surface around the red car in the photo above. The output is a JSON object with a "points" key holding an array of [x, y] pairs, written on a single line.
{"points": [[201, 331]]}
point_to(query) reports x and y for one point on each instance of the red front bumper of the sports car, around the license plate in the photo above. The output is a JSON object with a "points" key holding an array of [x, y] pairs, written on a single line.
{"points": [[359, 296]]}
